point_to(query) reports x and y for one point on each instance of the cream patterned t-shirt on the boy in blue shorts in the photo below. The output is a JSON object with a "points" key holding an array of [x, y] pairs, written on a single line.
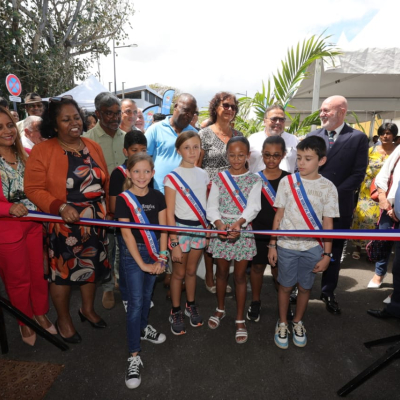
{"points": [[323, 197]]}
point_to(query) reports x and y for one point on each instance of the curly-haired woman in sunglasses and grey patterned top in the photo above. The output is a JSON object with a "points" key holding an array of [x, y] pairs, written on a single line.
{"points": [[222, 110]]}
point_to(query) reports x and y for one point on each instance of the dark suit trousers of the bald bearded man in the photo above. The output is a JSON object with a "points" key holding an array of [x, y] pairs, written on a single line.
{"points": [[331, 276]]}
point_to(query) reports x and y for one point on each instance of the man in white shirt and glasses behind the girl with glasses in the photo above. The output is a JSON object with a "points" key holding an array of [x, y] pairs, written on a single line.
{"points": [[274, 121]]}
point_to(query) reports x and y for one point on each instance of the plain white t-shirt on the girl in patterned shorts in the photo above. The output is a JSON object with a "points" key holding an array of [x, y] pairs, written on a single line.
{"points": [[197, 179]]}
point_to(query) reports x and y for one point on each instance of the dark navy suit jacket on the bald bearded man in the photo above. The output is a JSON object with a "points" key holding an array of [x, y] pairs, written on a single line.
{"points": [[346, 164]]}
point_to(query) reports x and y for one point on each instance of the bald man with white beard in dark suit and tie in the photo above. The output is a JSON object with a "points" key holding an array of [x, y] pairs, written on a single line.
{"points": [[347, 160]]}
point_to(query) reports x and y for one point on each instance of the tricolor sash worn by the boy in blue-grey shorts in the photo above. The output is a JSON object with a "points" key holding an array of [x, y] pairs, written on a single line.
{"points": [[304, 204]]}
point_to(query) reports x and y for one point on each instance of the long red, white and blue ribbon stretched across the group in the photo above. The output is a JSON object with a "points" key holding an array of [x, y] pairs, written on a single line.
{"points": [[350, 234]]}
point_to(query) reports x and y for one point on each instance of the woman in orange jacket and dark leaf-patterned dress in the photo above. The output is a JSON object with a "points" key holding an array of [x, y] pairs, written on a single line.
{"points": [[67, 176]]}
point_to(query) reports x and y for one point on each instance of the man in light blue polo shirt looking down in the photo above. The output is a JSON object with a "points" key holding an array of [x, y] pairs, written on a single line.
{"points": [[161, 138]]}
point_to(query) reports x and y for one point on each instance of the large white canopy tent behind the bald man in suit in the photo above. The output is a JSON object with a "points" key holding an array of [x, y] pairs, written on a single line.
{"points": [[369, 77]]}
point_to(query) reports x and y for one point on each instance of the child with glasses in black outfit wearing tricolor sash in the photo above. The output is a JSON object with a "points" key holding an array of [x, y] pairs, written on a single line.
{"points": [[273, 151]]}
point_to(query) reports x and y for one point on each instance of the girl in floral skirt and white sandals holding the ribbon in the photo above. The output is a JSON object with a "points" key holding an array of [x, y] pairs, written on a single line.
{"points": [[234, 202]]}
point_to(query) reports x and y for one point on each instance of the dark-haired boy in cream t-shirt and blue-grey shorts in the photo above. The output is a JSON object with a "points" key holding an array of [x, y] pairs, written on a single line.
{"points": [[304, 201]]}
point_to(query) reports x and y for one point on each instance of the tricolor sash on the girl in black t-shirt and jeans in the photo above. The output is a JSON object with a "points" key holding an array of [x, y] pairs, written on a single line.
{"points": [[140, 217]]}
